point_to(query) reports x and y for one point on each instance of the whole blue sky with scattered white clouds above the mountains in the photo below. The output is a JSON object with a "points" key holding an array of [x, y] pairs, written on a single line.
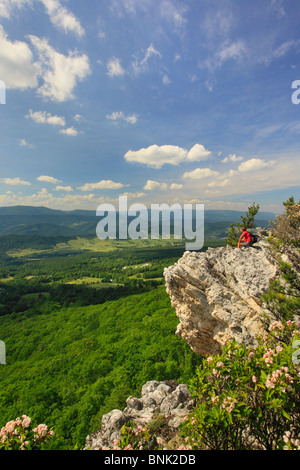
{"points": [[163, 101]]}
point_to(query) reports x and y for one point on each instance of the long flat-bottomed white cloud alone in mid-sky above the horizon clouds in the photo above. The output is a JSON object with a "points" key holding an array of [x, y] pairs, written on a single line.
{"points": [[156, 156]]}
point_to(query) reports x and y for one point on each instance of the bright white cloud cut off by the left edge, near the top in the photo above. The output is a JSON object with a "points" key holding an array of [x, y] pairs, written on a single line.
{"points": [[17, 67]]}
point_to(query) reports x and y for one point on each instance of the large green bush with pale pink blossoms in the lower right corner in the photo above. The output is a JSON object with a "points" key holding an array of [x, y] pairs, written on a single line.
{"points": [[248, 398]]}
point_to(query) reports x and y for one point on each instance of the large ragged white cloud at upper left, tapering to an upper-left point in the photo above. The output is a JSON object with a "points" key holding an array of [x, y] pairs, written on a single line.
{"points": [[60, 73]]}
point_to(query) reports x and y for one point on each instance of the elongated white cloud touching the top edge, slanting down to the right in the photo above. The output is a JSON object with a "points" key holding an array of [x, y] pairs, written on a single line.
{"points": [[62, 18]]}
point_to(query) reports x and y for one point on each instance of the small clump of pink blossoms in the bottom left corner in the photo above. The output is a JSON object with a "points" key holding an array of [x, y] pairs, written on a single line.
{"points": [[20, 435]]}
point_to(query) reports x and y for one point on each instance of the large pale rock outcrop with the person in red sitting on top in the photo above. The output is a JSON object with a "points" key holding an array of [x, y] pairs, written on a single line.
{"points": [[217, 293]]}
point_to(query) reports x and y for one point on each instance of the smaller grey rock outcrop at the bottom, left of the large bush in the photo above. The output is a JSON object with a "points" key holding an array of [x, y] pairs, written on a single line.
{"points": [[168, 398]]}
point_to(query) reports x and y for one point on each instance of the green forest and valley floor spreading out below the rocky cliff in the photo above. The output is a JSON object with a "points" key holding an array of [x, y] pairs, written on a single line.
{"points": [[84, 327]]}
